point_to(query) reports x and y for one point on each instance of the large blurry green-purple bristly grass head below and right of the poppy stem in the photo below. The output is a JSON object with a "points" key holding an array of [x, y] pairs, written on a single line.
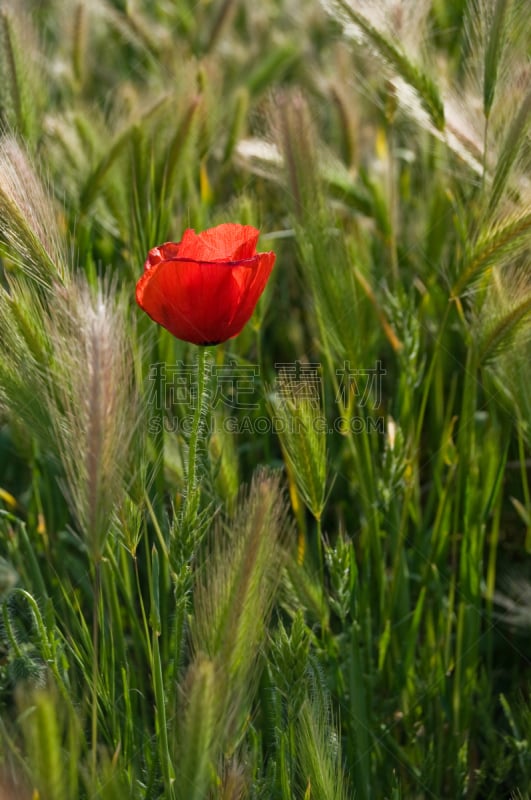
{"points": [[237, 586]]}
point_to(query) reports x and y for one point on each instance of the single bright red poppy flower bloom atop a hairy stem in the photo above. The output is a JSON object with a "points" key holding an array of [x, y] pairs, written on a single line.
{"points": [[204, 288]]}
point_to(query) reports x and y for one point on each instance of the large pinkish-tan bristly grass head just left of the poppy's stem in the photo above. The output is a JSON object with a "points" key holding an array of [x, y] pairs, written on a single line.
{"points": [[92, 403]]}
